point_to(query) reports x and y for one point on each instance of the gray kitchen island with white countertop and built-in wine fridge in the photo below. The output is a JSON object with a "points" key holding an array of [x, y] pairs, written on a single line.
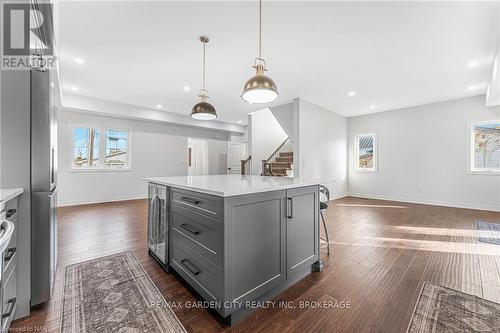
{"points": [[235, 239]]}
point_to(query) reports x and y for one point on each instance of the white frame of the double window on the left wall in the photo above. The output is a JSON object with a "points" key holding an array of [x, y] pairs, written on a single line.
{"points": [[102, 149]]}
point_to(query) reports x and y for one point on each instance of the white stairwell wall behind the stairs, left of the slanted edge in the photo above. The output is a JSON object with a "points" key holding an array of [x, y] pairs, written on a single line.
{"points": [[264, 136]]}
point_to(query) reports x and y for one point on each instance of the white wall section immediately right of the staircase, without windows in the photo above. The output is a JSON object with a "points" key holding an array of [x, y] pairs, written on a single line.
{"points": [[322, 152]]}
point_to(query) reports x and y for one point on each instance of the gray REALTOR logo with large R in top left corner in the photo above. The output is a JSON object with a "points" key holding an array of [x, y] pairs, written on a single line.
{"points": [[27, 36]]}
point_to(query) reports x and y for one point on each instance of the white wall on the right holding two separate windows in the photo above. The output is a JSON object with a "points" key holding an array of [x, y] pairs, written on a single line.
{"points": [[423, 154]]}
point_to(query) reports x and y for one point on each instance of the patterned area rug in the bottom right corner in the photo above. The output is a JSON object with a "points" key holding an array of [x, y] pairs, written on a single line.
{"points": [[440, 309]]}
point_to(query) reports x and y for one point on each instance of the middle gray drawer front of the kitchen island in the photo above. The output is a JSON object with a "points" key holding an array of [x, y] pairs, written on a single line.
{"points": [[202, 233]]}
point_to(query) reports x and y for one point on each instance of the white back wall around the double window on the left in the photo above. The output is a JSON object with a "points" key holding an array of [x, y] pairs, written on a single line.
{"points": [[157, 150]]}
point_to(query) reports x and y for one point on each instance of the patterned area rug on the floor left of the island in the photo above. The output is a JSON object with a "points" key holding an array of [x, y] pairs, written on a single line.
{"points": [[114, 294]]}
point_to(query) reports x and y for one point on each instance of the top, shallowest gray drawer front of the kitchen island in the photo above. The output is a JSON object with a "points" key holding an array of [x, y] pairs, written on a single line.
{"points": [[206, 204]]}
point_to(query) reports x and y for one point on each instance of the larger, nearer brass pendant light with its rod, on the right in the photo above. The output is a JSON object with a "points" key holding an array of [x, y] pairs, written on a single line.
{"points": [[260, 88]]}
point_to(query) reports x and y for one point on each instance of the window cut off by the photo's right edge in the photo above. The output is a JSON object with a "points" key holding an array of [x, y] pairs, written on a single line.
{"points": [[485, 147]]}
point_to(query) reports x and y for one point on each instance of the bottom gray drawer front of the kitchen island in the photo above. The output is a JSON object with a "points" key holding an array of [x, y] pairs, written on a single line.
{"points": [[204, 276]]}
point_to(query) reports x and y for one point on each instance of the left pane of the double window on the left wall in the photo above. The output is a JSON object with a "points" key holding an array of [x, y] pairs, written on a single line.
{"points": [[85, 147]]}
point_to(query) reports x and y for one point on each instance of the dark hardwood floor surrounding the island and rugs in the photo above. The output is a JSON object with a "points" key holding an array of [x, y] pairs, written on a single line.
{"points": [[381, 252]]}
